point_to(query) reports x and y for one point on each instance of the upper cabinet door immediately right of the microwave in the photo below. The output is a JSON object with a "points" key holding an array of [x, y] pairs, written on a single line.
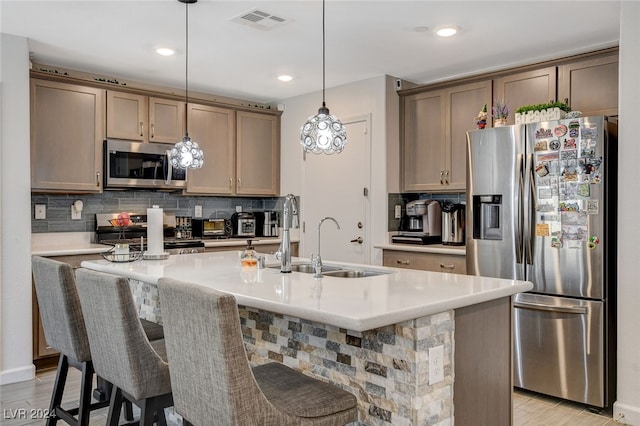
{"points": [[214, 130]]}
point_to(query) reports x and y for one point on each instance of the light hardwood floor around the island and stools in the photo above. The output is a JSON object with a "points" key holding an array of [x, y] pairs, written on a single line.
{"points": [[24, 404]]}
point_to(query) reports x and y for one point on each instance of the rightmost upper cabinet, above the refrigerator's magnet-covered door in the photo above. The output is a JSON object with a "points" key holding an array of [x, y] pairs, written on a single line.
{"points": [[590, 86]]}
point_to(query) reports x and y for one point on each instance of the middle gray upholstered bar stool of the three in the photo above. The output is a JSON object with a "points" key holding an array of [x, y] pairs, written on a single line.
{"points": [[135, 366]]}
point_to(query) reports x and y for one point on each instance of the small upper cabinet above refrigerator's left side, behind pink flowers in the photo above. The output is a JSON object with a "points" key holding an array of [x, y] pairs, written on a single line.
{"points": [[526, 88]]}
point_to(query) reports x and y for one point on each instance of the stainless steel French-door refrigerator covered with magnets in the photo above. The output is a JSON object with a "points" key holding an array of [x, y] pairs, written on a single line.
{"points": [[541, 202]]}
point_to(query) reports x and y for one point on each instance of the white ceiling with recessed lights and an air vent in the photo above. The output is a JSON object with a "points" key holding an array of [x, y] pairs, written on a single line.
{"points": [[364, 39]]}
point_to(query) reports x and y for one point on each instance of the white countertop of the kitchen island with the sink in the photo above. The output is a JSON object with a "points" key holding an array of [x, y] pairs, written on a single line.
{"points": [[353, 303]]}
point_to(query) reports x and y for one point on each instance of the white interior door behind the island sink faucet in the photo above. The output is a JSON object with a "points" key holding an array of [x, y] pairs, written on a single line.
{"points": [[336, 186]]}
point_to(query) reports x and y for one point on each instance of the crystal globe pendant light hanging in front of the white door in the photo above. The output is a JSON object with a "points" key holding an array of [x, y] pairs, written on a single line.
{"points": [[323, 132]]}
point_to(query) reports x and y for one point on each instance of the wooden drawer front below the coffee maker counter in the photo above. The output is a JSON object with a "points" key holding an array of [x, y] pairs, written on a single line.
{"points": [[436, 262]]}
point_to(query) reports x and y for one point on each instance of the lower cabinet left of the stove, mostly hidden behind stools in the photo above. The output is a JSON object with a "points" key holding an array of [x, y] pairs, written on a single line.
{"points": [[44, 356]]}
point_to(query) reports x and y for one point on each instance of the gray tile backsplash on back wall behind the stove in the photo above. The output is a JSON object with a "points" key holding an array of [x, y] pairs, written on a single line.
{"points": [[58, 207]]}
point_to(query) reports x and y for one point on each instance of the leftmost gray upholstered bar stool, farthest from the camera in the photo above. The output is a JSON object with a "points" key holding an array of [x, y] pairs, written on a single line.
{"points": [[65, 331]]}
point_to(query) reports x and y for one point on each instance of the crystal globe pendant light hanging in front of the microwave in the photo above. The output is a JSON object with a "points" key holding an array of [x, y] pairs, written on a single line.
{"points": [[186, 154]]}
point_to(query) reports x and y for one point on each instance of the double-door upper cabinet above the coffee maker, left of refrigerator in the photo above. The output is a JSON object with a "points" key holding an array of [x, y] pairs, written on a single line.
{"points": [[433, 136]]}
